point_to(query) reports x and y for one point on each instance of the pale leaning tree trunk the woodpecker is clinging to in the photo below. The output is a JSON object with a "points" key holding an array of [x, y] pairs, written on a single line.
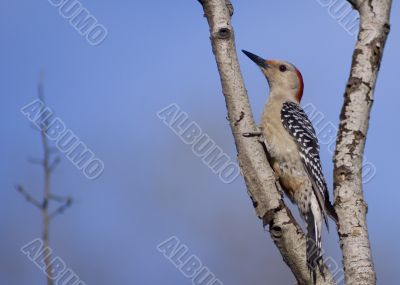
{"points": [[258, 175]]}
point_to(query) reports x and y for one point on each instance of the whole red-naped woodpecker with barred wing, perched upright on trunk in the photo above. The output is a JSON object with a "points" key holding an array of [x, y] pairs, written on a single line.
{"points": [[293, 152]]}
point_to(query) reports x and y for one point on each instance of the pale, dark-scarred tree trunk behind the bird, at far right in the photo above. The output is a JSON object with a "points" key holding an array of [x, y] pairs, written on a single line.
{"points": [[358, 98]]}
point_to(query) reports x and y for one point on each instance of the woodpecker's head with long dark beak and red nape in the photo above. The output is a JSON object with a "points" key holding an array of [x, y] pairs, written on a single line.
{"points": [[283, 77]]}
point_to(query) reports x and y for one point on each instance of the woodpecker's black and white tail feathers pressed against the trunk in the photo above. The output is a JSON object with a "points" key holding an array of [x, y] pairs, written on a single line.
{"points": [[313, 247]]}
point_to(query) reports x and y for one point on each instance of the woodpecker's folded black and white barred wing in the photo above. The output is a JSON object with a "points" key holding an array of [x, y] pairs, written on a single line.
{"points": [[296, 122]]}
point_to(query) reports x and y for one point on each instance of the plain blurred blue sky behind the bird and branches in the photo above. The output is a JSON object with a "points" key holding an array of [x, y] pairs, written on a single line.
{"points": [[153, 186]]}
